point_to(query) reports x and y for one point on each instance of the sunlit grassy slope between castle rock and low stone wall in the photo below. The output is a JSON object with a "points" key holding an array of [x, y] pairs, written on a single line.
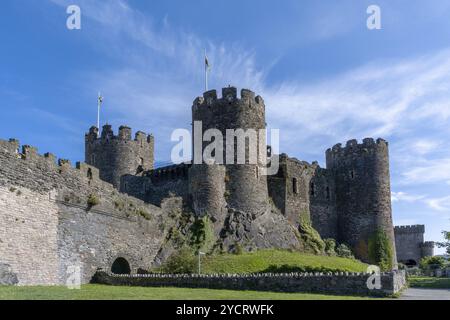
{"points": [[263, 259]]}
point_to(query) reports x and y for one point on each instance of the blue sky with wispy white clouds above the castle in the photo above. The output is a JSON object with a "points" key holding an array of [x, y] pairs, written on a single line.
{"points": [[324, 76]]}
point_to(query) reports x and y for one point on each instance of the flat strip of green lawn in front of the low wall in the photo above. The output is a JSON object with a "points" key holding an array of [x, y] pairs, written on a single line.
{"points": [[101, 292]]}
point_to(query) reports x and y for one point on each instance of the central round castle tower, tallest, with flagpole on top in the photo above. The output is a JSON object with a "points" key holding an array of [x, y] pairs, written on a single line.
{"points": [[241, 186]]}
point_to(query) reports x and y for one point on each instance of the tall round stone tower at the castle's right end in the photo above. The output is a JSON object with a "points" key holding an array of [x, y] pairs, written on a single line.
{"points": [[363, 194]]}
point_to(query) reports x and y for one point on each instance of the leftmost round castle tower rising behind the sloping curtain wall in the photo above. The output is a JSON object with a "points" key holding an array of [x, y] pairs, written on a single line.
{"points": [[119, 155]]}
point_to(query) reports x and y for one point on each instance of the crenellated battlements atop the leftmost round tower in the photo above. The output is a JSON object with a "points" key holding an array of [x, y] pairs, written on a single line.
{"points": [[125, 134]]}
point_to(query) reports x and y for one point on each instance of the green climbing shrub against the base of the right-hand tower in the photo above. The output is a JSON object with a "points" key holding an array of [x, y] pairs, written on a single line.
{"points": [[380, 250]]}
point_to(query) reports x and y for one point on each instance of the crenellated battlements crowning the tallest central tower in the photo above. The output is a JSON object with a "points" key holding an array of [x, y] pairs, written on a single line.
{"points": [[229, 95]]}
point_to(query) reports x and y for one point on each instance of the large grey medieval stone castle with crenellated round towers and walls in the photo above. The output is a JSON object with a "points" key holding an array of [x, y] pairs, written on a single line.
{"points": [[117, 212]]}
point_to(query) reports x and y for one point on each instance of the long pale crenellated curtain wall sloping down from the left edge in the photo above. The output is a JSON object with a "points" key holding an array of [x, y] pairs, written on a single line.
{"points": [[47, 224]]}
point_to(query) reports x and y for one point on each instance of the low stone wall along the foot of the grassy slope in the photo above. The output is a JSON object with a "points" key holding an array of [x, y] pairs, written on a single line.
{"points": [[331, 283]]}
